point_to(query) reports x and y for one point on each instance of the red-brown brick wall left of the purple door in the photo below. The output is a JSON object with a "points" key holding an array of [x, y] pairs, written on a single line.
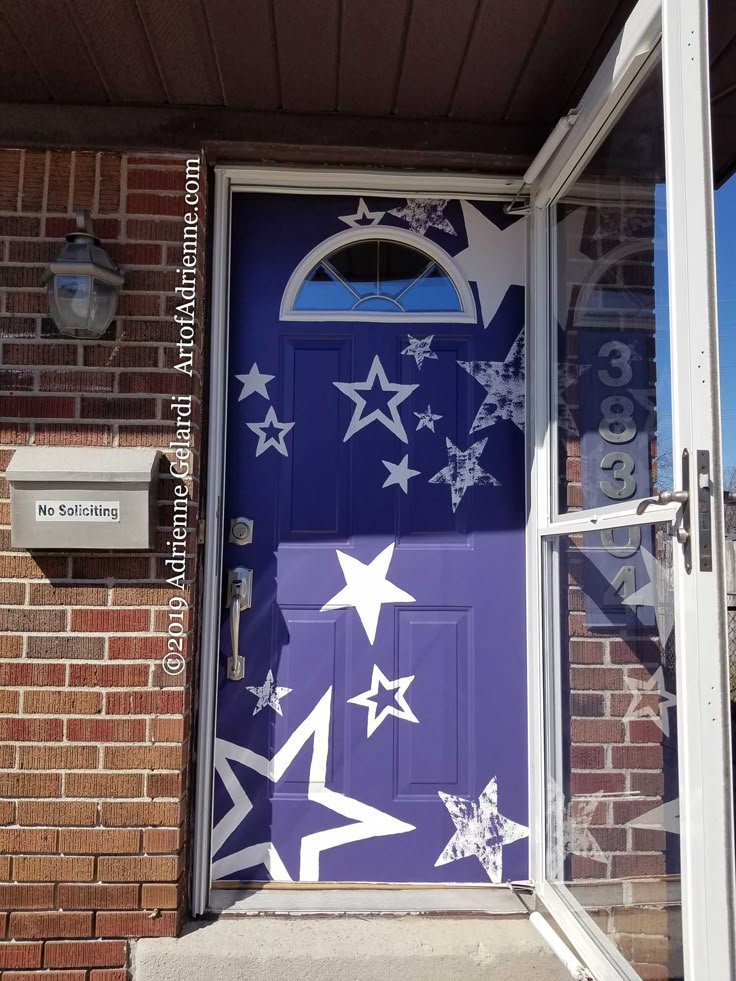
{"points": [[94, 734]]}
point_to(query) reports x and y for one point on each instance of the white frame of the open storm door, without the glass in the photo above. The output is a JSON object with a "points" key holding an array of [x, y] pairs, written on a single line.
{"points": [[707, 846]]}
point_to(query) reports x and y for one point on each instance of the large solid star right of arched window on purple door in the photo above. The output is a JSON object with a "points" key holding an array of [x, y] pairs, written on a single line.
{"points": [[495, 258]]}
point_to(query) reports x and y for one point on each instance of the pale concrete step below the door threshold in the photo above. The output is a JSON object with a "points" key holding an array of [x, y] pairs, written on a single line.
{"points": [[350, 948]]}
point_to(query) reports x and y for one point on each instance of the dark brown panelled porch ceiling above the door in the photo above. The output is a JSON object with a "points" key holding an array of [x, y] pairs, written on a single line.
{"points": [[490, 75]]}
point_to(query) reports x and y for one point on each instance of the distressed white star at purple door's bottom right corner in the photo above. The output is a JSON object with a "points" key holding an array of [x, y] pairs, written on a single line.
{"points": [[480, 830]]}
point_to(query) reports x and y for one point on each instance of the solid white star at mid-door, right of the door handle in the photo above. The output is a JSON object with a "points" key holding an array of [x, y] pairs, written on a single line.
{"points": [[367, 589]]}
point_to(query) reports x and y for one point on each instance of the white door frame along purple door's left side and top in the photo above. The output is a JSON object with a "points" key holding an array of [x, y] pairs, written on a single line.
{"points": [[228, 180]]}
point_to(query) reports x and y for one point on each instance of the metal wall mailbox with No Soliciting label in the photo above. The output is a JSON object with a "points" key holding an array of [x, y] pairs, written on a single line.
{"points": [[82, 497]]}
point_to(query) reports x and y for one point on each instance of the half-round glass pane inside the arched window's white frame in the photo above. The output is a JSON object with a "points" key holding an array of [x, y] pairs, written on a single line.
{"points": [[378, 276]]}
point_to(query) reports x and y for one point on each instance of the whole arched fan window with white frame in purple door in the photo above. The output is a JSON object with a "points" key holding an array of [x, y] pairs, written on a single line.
{"points": [[384, 276]]}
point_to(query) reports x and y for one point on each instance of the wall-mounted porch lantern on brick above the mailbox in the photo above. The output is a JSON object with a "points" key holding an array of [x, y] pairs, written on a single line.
{"points": [[83, 284]]}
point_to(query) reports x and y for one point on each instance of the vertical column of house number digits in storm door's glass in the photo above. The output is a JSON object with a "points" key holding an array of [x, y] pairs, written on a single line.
{"points": [[617, 427]]}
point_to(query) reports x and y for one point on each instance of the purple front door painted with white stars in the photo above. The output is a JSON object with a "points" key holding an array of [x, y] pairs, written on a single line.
{"points": [[375, 439]]}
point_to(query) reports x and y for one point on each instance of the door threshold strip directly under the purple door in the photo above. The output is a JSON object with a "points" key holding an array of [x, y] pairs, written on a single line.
{"points": [[387, 900]]}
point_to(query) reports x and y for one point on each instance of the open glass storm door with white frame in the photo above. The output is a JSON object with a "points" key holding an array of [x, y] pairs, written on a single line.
{"points": [[635, 861]]}
